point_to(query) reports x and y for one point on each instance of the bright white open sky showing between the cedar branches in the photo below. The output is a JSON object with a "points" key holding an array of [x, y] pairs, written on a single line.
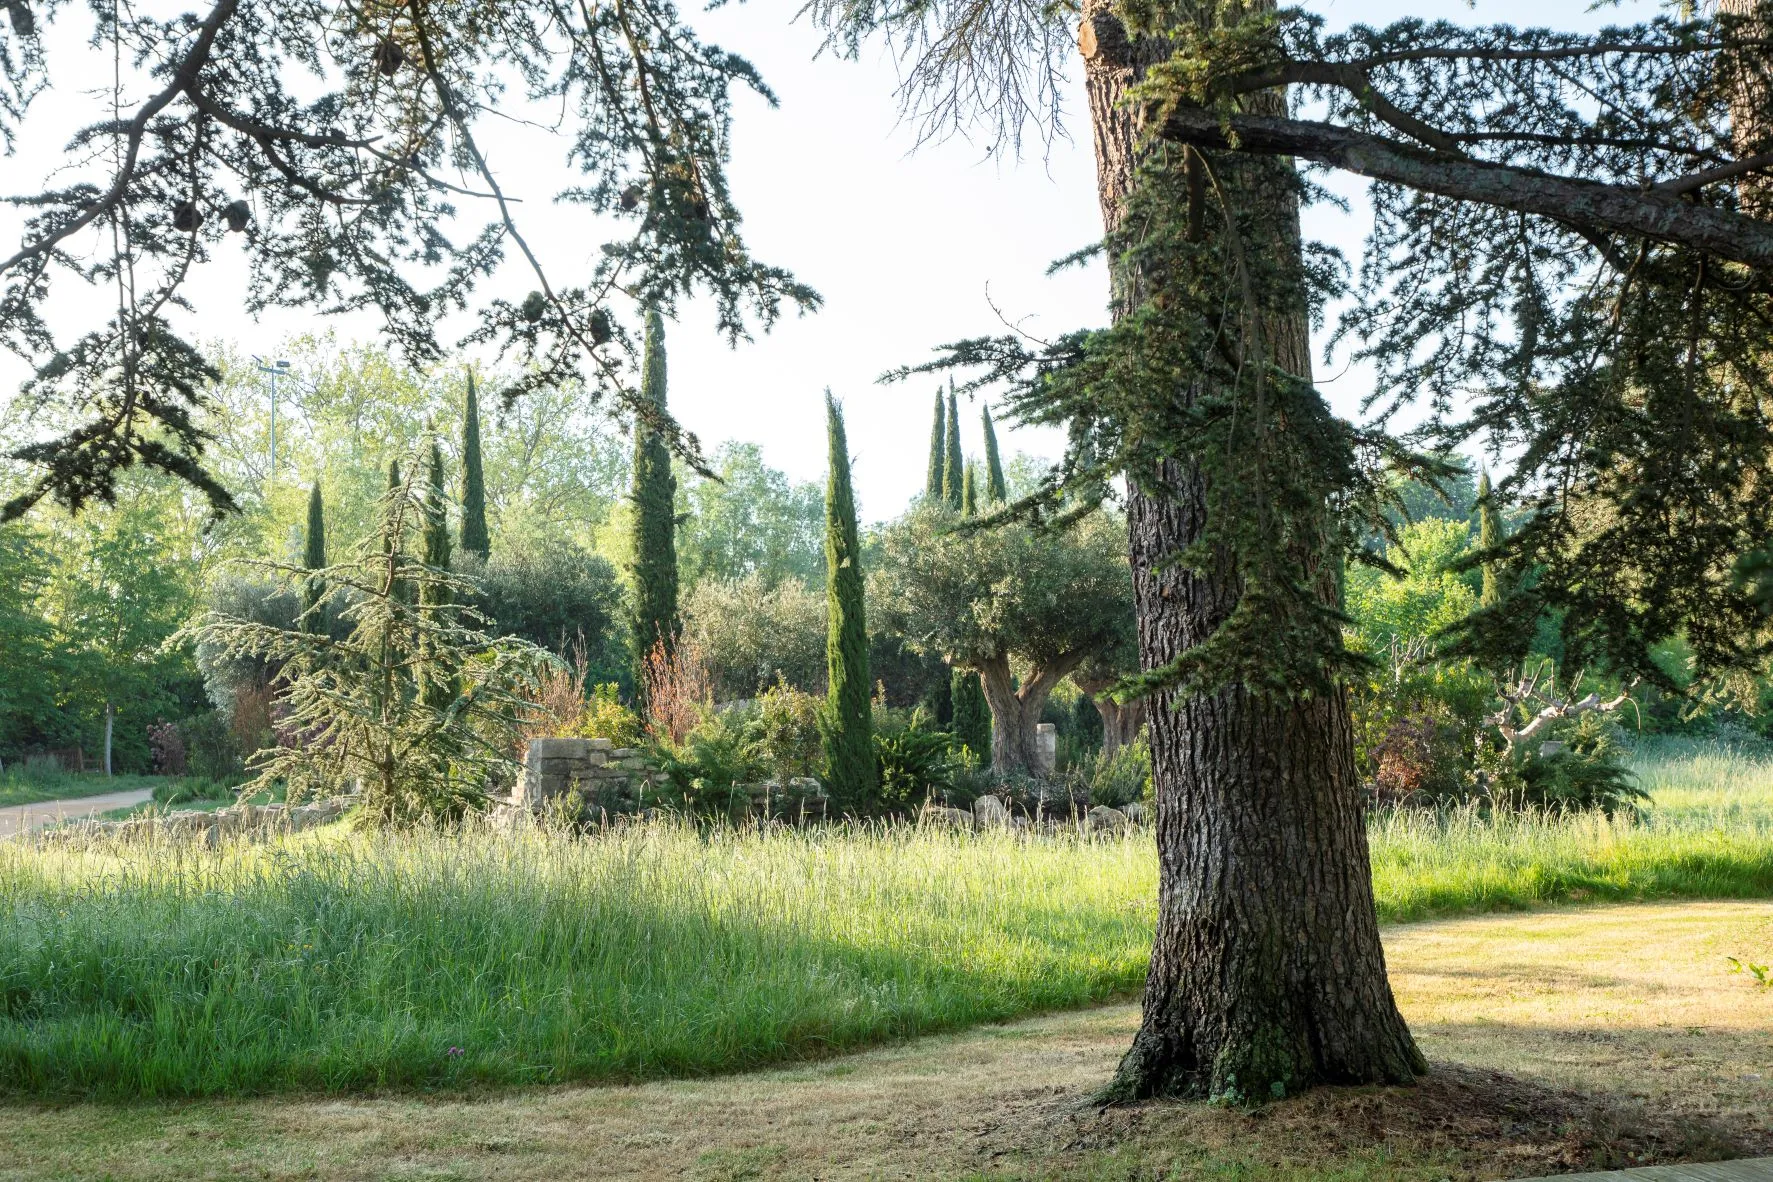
{"points": [[909, 249]]}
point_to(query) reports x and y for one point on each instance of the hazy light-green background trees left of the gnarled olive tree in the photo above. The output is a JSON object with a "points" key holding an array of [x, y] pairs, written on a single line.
{"points": [[90, 607]]}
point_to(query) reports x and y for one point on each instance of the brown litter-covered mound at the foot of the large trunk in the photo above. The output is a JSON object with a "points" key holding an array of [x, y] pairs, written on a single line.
{"points": [[1485, 1124]]}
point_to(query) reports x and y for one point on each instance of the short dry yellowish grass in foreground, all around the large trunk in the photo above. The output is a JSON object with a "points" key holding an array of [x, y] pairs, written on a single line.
{"points": [[1561, 1041]]}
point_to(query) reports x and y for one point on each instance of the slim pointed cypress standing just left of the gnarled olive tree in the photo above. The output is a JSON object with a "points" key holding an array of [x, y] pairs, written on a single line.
{"points": [[850, 724]]}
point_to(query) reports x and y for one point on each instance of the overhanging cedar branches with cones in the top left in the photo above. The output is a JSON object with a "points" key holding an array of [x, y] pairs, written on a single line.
{"points": [[336, 146]]}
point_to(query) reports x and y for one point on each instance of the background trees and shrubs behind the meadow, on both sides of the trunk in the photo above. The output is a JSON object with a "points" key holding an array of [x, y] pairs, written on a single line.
{"points": [[974, 637]]}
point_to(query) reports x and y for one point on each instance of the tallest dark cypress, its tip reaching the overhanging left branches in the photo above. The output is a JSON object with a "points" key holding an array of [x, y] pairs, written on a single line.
{"points": [[655, 531]]}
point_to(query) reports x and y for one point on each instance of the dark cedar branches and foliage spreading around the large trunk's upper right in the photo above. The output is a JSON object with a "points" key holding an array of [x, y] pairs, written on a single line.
{"points": [[1570, 265]]}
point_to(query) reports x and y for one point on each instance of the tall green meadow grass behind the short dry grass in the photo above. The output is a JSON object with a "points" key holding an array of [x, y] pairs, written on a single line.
{"points": [[354, 963]]}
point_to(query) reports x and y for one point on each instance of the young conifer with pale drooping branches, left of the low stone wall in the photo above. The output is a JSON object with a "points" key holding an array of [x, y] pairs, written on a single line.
{"points": [[371, 708]]}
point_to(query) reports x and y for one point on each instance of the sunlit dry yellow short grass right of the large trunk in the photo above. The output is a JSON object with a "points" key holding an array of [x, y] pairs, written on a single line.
{"points": [[1634, 1000]]}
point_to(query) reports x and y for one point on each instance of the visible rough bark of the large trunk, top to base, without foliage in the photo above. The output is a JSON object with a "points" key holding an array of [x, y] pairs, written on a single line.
{"points": [[1267, 972]]}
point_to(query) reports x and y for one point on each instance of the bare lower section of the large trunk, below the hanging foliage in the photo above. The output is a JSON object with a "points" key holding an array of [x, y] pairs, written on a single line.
{"points": [[1267, 970]]}
